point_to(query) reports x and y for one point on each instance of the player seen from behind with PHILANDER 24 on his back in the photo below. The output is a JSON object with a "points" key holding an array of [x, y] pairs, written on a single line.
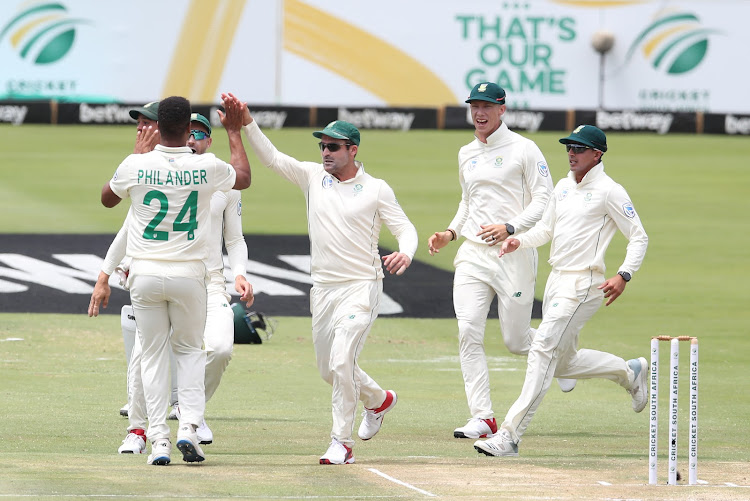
{"points": [[168, 240]]}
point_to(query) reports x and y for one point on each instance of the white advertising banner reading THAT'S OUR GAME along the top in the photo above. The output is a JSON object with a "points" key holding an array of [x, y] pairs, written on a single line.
{"points": [[666, 55]]}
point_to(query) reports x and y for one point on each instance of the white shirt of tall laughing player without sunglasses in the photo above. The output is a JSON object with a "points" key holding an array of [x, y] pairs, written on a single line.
{"points": [[503, 181]]}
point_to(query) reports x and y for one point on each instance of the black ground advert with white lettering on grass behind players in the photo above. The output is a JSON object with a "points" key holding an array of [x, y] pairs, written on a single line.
{"points": [[57, 273]]}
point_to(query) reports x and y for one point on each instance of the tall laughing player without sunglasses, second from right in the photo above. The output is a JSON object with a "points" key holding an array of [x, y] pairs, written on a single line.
{"points": [[505, 184]]}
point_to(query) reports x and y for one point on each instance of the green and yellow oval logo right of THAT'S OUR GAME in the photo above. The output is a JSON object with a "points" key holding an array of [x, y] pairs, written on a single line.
{"points": [[675, 42]]}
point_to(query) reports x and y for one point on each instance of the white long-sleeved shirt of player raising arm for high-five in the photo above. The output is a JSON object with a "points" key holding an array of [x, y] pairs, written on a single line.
{"points": [[343, 218]]}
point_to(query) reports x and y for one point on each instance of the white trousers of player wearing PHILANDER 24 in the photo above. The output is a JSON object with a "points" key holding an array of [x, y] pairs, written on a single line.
{"points": [[176, 299]]}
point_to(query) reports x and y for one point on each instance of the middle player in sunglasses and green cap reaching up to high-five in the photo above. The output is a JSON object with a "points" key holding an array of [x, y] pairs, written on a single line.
{"points": [[345, 210]]}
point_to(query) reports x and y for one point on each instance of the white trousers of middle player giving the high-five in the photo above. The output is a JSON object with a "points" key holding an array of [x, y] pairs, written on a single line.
{"points": [[342, 316]]}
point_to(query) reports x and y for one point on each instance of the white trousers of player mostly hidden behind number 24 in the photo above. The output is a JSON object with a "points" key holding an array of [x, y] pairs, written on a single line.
{"points": [[218, 339]]}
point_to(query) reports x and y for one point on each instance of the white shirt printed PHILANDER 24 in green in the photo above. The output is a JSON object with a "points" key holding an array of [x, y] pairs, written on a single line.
{"points": [[171, 190]]}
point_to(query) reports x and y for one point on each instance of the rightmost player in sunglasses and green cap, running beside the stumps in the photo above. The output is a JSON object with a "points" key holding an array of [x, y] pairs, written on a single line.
{"points": [[583, 214]]}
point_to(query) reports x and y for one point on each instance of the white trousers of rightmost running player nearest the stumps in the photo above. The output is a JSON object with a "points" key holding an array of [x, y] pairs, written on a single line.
{"points": [[570, 300]]}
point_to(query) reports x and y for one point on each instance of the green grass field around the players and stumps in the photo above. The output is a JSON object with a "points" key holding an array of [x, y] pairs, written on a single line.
{"points": [[61, 386]]}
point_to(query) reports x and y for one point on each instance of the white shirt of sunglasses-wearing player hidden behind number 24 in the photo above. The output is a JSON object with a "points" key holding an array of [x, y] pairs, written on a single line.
{"points": [[226, 222]]}
